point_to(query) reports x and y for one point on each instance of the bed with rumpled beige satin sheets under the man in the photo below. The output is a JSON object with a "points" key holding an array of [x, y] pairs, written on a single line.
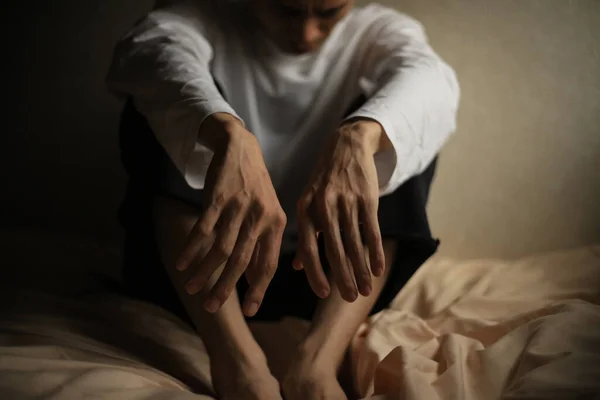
{"points": [[472, 330]]}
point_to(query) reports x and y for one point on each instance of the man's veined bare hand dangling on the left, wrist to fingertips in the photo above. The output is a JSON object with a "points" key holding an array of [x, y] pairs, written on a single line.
{"points": [[242, 223]]}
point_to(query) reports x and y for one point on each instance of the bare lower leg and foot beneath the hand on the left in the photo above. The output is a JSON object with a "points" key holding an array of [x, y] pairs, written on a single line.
{"points": [[238, 366]]}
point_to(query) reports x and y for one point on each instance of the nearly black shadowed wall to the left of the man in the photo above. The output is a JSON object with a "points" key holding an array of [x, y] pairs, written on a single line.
{"points": [[58, 148]]}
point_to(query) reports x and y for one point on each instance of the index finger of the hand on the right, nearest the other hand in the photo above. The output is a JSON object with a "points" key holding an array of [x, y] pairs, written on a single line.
{"points": [[307, 254]]}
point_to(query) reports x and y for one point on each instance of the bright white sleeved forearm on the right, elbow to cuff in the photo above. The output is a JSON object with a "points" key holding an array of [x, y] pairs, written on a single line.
{"points": [[417, 111]]}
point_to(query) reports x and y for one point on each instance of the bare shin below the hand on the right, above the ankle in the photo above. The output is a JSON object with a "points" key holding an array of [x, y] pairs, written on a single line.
{"points": [[336, 321]]}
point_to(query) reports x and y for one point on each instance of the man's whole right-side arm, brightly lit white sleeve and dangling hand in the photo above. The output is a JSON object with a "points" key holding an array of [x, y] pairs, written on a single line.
{"points": [[395, 135]]}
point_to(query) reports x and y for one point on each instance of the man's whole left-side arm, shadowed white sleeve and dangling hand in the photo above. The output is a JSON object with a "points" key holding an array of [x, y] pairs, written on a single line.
{"points": [[163, 64]]}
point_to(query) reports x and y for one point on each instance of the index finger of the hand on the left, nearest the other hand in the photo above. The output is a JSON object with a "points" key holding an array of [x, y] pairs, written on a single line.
{"points": [[268, 258]]}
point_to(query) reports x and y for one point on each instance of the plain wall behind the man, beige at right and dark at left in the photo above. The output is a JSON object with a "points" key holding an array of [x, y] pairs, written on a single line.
{"points": [[521, 175]]}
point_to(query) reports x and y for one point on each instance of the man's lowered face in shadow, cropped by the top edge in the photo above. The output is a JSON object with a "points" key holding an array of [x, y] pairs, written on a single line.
{"points": [[300, 26]]}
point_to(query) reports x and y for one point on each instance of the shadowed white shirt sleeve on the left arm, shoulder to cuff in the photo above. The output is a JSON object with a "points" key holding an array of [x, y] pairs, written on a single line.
{"points": [[163, 64]]}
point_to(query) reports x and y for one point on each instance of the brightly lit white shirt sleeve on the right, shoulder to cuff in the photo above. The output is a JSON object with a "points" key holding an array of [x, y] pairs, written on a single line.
{"points": [[411, 92]]}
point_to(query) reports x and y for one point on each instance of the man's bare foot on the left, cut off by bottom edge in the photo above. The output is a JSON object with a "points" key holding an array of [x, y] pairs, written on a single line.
{"points": [[235, 380]]}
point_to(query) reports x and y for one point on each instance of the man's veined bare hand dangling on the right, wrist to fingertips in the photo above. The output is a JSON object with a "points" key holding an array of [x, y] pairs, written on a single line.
{"points": [[343, 195]]}
